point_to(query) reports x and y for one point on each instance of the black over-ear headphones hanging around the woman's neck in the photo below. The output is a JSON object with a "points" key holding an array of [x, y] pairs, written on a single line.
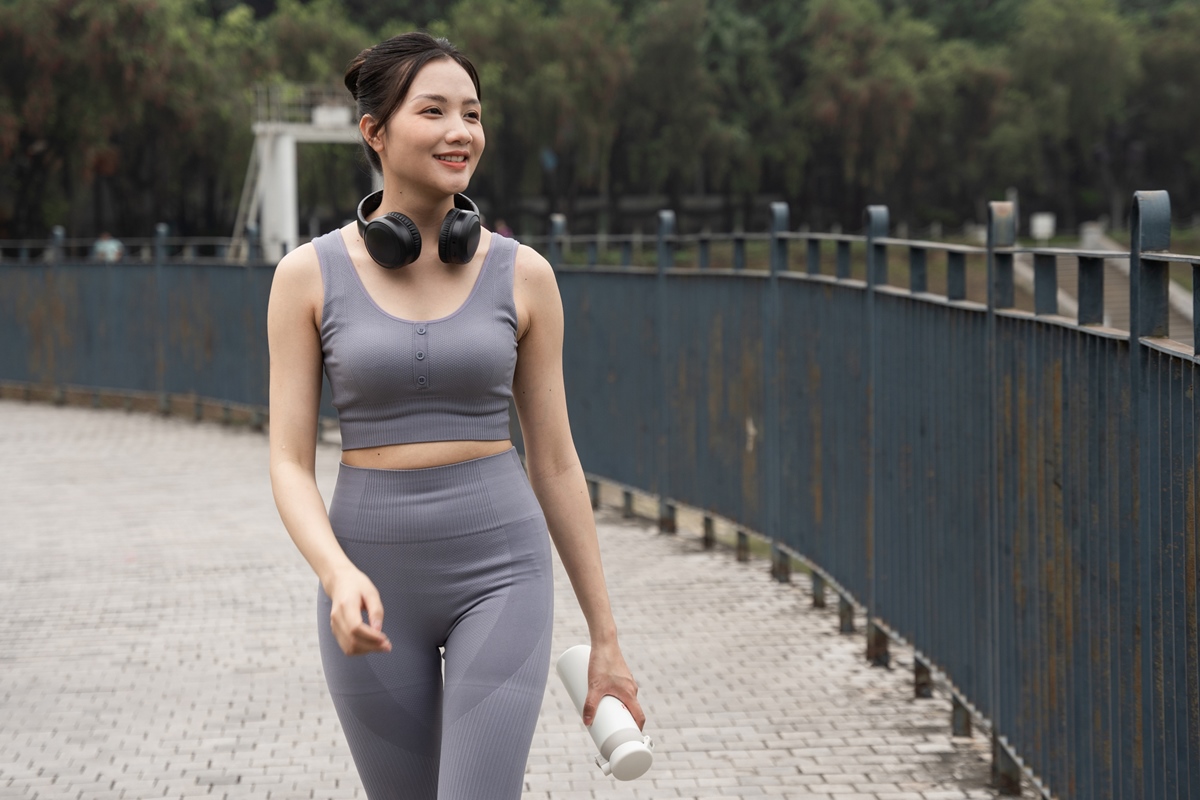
{"points": [[393, 240]]}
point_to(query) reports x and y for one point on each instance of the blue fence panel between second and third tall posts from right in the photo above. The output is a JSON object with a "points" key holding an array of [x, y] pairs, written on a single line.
{"points": [[933, 456]]}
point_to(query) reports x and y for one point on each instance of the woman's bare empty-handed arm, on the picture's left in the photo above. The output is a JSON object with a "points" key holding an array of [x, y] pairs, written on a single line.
{"points": [[295, 344]]}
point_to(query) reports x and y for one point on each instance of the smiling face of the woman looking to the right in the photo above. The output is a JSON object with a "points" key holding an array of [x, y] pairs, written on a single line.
{"points": [[436, 137]]}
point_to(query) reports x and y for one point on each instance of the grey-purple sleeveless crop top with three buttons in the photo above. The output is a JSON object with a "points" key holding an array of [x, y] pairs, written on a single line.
{"points": [[397, 381]]}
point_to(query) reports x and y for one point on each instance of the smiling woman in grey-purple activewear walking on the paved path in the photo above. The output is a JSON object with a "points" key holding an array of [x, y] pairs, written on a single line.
{"points": [[433, 519]]}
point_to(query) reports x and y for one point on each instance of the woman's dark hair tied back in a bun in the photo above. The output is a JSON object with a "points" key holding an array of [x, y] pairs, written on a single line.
{"points": [[380, 77]]}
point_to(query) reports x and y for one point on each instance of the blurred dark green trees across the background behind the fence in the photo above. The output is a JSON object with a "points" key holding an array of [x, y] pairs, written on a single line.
{"points": [[117, 115]]}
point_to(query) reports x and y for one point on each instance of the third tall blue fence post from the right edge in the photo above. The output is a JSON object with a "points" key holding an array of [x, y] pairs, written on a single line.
{"points": [[877, 275]]}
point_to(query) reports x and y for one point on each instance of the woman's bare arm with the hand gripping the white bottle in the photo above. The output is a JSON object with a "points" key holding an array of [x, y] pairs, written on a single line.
{"points": [[557, 477]]}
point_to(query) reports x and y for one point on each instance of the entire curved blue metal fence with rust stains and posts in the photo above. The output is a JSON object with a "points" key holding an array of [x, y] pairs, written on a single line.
{"points": [[1012, 492]]}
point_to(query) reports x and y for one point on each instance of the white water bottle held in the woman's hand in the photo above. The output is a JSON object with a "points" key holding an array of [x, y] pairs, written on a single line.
{"points": [[625, 753]]}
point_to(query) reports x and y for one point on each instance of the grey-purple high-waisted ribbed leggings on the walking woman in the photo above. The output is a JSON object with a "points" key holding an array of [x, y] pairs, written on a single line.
{"points": [[461, 558]]}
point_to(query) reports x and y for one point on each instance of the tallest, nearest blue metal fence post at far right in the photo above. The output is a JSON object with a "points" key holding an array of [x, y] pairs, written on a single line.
{"points": [[1150, 230]]}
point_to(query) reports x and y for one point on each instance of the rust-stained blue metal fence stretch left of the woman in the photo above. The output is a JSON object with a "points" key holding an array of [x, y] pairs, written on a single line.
{"points": [[178, 329]]}
